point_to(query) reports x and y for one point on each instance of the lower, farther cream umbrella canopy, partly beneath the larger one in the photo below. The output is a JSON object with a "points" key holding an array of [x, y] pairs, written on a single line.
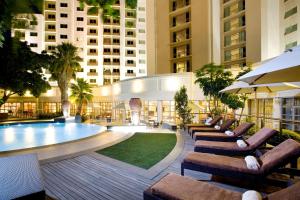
{"points": [[240, 87]]}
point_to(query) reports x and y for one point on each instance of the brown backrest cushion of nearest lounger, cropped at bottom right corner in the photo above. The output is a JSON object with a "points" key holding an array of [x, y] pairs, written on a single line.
{"points": [[289, 193]]}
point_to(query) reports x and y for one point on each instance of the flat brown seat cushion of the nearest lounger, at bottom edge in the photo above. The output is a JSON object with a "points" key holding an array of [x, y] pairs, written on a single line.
{"points": [[175, 187]]}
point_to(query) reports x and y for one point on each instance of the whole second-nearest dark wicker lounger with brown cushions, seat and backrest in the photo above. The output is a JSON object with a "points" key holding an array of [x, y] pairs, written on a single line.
{"points": [[286, 152]]}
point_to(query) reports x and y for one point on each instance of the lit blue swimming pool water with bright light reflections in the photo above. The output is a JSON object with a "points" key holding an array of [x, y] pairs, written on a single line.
{"points": [[22, 136]]}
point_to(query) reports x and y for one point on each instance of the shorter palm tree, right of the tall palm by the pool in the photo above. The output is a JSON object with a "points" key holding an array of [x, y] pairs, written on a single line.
{"points": [[81, 93]]}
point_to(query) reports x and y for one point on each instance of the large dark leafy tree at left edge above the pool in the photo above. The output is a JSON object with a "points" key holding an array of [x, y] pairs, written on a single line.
{"points": [[21, 70]]}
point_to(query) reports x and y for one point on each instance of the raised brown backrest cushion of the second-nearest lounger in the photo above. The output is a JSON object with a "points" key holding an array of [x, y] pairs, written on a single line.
{"points": [[283, 151]]}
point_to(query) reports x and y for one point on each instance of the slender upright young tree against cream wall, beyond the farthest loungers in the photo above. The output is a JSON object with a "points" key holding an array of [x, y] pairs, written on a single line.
{"points": [[181, 106]]}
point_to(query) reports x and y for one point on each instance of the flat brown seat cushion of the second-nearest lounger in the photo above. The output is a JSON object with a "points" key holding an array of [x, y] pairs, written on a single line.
{"points": [[219, 161]]}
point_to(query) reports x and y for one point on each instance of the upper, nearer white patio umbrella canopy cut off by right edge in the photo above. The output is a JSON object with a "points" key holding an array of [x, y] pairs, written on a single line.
{"points": [[283, 68]]}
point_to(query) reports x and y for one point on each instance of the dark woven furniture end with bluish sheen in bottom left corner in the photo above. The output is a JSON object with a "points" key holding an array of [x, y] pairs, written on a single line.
{"points": [[21, 178]]}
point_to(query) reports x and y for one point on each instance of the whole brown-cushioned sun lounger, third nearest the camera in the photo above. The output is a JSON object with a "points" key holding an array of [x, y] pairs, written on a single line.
{"points": [[232, 148]]}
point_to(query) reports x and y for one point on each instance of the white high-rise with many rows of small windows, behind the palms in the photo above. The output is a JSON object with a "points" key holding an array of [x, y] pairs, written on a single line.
{"points": [[111, 49]]}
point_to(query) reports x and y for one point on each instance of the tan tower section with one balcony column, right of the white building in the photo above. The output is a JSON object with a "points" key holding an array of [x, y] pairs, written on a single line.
{"points": [[183, 35]]}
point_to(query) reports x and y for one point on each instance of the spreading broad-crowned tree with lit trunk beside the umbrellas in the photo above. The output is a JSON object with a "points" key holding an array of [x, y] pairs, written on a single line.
{"points": [[212, 79]]}
